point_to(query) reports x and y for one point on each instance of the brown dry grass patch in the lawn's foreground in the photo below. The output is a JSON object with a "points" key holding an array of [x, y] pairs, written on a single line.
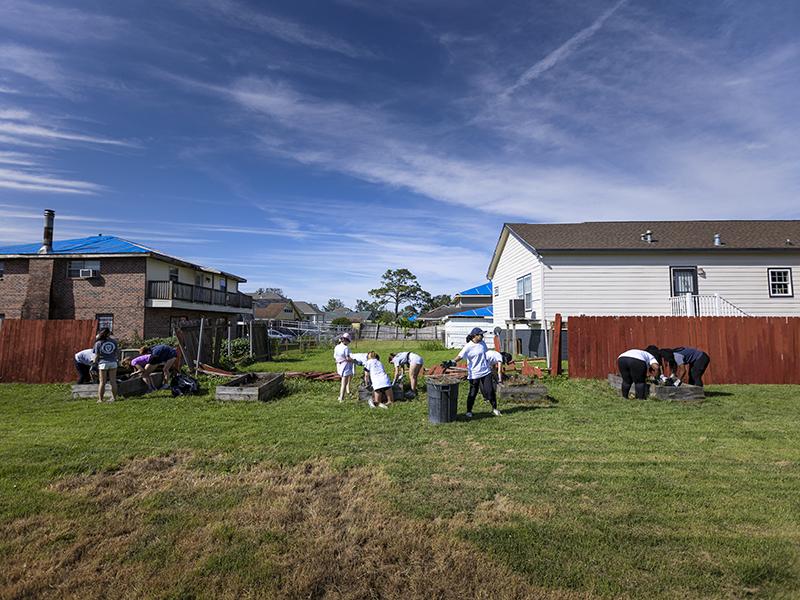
{"points": [[157, 527]]}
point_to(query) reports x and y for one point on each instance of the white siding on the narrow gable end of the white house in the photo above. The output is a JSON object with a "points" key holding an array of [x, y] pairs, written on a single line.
{"points": [[515, 262]]}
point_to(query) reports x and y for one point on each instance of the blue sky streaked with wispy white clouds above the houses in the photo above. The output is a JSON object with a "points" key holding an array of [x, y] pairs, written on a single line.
{"points": [[312, 145]]}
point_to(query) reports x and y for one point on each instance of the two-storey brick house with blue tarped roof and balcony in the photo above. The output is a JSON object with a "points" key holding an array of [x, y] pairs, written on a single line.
{"points": [[134, 290]]}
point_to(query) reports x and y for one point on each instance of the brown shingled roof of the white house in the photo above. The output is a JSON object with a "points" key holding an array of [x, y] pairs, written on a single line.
{"points": [[667, 235]]}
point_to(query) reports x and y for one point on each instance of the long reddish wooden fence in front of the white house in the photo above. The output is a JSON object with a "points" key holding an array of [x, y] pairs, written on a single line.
{"points": [[742, 349]]}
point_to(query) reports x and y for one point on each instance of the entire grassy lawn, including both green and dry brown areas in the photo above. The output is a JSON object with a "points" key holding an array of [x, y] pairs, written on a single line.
{"points": [[592, 496]]}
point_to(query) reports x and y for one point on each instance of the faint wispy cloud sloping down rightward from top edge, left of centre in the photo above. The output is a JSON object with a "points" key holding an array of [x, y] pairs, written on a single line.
{"points": [[291, 32]]}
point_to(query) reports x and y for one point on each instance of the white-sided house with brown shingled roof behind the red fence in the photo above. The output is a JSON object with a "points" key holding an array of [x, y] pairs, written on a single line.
{"points": [[695, 268]]}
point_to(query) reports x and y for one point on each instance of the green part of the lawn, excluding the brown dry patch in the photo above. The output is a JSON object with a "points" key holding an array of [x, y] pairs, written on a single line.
{"points": [[606, 496]]}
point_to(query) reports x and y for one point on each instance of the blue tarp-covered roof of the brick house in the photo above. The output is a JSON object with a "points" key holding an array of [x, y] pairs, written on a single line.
{"points": [[102, 245]]}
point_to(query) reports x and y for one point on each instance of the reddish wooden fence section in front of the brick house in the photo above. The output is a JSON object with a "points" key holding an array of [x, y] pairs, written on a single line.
{"points": [[42, 351]]}
